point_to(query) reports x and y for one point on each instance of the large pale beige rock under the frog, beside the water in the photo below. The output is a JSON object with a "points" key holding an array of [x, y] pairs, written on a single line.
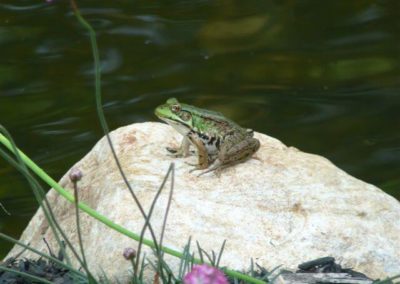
{"points": [[282, 207]]}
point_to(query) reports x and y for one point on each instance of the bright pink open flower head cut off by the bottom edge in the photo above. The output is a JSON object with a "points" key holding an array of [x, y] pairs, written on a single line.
{"points": [[205, 274]]}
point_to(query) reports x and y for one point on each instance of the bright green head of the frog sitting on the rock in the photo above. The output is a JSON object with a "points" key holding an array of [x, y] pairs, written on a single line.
{"points": [[176, 115]]}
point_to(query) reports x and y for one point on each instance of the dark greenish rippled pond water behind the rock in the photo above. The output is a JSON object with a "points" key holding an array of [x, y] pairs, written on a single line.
{"points": [[323, 76]]}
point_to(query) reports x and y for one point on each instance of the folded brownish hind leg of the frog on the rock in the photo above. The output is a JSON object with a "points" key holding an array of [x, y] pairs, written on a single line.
{"points": [[234, 154]]}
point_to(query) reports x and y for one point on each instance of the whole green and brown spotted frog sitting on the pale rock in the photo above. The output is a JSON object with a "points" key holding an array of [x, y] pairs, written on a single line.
{"points": [[219, 141]]}
